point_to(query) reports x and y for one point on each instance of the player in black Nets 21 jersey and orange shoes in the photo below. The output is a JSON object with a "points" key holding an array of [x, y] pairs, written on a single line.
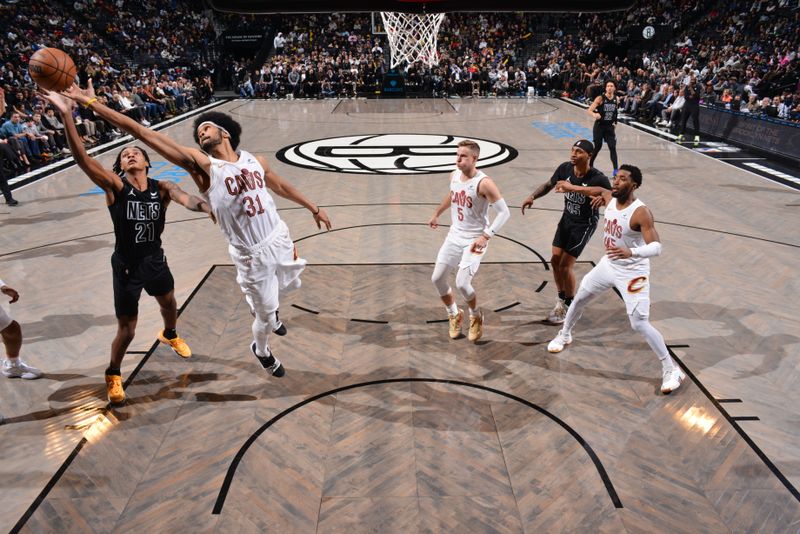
{"points": [[137, 205]]}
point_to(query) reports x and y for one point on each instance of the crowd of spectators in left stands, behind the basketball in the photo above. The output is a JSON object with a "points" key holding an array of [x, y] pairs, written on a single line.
{"points": [[146, 59]]}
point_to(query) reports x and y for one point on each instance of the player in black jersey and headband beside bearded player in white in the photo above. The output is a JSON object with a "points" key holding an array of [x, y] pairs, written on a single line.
{"points": [[577, 224]]}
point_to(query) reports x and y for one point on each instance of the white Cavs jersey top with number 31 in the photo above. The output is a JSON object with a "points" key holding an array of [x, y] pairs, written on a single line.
{"points": [[241, 202]]}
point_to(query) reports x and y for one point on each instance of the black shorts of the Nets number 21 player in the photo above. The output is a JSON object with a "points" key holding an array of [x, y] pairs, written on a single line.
{"points": [[151, 274]]}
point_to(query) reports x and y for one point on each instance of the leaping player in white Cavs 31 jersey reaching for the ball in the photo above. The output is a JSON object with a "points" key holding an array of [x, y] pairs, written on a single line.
{"points": [[237, 185]]}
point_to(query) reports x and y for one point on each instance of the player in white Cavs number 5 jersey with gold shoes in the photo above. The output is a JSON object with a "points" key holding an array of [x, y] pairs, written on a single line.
{"points": [[471, 193]]}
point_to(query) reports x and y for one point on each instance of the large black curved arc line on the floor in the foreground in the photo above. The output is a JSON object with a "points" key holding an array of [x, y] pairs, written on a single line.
{"points": [[226, 484]]}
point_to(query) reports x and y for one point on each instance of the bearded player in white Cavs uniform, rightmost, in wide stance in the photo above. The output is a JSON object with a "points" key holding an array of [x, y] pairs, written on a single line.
{"points": [[630, 240]]}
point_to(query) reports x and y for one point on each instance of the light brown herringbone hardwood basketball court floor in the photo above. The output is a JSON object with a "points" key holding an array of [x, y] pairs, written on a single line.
{"points": [[413, 455]]}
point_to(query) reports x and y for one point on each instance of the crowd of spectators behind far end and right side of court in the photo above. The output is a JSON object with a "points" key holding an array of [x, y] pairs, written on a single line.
{"points": [[740, 55]]}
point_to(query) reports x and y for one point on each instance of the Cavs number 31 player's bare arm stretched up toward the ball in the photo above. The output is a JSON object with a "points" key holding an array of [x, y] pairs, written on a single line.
{"points": [[189, 158]]}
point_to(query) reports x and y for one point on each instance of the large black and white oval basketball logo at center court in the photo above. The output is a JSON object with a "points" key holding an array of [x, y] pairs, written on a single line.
{"points": [[390, 153]]}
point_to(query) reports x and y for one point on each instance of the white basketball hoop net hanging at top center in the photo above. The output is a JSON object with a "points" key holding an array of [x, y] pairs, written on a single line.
{"points": [[412, 37]]}
